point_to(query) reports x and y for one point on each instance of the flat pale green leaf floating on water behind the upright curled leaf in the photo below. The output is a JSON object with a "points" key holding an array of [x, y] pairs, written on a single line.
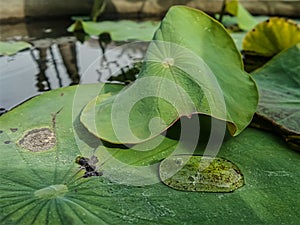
{"points": [[119, 30]]}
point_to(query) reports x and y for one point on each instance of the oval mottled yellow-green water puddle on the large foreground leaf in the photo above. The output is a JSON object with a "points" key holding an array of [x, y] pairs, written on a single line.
{"points": [[199, 173]]}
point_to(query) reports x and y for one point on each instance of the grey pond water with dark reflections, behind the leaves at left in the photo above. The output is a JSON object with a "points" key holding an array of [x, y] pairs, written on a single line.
{"points": [[57, 59]]}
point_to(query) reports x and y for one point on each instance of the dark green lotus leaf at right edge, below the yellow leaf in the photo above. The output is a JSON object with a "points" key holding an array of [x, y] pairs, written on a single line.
{"points": [[279, 87]]}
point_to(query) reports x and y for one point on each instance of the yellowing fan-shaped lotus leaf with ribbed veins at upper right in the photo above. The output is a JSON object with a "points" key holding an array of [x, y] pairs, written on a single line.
{"points": [[272, 36]]}
